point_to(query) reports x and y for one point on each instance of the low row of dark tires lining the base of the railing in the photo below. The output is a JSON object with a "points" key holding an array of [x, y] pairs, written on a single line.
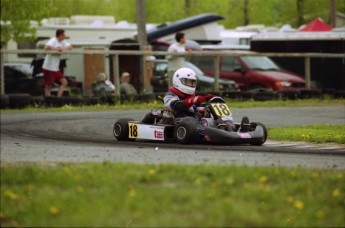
{"points": [[17, 101]]}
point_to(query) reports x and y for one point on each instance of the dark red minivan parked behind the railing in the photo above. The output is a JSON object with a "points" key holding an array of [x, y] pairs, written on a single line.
{"points": [[249, 72]]}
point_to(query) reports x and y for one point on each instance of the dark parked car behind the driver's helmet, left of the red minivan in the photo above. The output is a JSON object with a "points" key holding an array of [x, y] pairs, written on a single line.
{"points": [[205, 83]]}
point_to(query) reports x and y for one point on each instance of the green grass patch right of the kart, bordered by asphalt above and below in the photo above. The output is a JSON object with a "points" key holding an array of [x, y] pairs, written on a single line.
{"points": [[315, 134]]}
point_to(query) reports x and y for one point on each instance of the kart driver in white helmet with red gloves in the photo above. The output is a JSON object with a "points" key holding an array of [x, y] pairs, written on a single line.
{"points": [[181, 96]]}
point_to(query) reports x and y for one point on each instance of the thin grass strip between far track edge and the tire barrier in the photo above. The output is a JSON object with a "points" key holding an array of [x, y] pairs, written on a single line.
{"points": [[157, 104]]}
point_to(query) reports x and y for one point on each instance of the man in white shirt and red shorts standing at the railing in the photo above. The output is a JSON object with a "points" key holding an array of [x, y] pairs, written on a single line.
{"points": [[51, 71]]}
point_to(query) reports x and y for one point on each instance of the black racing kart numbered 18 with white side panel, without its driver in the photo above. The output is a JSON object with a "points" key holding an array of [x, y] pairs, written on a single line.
{"points": [[212, 122]]}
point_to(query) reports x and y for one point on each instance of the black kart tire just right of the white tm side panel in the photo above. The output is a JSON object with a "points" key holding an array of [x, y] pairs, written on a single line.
{"points": [[185, 132]]}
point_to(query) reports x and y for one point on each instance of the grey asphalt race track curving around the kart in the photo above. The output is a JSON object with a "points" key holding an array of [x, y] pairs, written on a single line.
{"points": [[87, 136]]}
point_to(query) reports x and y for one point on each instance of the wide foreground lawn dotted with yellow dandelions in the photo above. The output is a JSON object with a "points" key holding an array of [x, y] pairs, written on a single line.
{"points": [[121, 195]]}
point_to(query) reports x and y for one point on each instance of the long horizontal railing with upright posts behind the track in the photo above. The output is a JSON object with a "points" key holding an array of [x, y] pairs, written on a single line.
{"points": [[215, 54]]}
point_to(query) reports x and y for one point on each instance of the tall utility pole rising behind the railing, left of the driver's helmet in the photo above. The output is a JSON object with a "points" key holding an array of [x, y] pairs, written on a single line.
{"points": [[142, 39]]}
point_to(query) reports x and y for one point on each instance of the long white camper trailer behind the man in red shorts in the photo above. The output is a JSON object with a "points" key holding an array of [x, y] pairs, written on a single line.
{"points": [[96, 28]]}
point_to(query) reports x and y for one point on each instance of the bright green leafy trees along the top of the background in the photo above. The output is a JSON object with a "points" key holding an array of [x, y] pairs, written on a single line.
{"points": [[236, 12]]}
